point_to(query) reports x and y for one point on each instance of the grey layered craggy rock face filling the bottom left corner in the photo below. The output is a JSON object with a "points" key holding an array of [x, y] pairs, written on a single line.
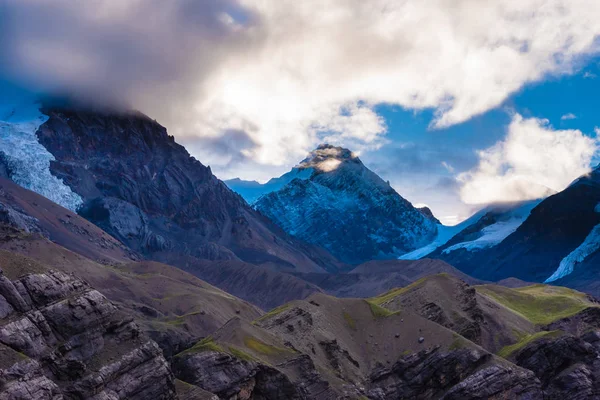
{"points": [[59, 338]]}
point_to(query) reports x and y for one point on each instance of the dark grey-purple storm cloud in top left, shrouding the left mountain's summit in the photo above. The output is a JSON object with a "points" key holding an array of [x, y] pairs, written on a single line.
{"points": [[126, 52]]}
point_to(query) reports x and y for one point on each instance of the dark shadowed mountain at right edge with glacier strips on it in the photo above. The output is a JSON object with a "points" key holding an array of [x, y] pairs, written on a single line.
{"points": [[557, 242]]}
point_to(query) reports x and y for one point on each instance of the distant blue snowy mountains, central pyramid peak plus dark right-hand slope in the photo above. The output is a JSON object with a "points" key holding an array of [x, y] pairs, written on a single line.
{"points": [[349, 210]]}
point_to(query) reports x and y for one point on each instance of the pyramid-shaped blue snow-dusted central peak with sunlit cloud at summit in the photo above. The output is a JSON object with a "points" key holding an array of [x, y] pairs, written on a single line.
{"points": [[346, 208]]}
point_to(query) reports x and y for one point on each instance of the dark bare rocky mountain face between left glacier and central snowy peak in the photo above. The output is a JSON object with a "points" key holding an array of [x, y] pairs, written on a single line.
{"points": [[144, 189]]}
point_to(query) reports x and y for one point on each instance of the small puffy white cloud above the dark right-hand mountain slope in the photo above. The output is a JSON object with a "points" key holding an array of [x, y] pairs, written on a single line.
{"points": [[533, 161]]}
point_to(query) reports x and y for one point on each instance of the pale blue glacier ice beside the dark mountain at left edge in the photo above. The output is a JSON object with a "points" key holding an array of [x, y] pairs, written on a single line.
{"points": [[27, 160]]}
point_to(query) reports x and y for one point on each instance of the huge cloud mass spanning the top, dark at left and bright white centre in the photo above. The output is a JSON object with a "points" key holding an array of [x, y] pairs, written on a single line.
{"points": [[293, 73]]}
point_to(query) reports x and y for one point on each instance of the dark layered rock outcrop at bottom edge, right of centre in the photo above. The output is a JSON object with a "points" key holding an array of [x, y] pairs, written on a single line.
{"points": [[459, 374]]}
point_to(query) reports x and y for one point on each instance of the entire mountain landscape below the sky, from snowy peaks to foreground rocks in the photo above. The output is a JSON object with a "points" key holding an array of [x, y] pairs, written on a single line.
{"points": [[129, 271]]}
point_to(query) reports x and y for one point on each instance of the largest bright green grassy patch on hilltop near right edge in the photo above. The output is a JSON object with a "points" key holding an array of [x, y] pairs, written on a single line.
{"points": [[540, 304]]}
